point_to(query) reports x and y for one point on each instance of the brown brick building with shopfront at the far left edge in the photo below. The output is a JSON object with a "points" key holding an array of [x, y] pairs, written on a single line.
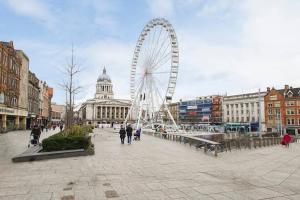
{"points": [[10, 67]]}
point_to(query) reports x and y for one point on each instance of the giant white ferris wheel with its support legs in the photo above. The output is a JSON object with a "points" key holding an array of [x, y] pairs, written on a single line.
{"points": [[153, 76]]}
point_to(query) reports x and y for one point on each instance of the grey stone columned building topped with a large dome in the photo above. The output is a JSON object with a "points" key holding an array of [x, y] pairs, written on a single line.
{"points": [[104, 109]]}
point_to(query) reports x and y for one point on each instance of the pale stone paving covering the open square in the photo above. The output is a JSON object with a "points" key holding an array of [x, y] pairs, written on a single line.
{"points": [[149, 169]]}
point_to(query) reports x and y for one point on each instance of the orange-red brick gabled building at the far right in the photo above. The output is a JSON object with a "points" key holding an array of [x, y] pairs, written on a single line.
{"points": [[283, 110]]}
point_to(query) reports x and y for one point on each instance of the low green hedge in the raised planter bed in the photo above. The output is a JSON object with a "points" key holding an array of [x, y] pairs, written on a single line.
{"points": [[59, 142]]}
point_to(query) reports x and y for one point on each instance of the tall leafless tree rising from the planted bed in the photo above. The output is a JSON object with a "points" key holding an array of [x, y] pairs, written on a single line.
{"points": [[68, 85]]}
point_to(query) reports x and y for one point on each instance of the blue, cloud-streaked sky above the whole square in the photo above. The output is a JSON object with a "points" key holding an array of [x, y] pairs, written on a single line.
{"points": [[226, 46]]}
